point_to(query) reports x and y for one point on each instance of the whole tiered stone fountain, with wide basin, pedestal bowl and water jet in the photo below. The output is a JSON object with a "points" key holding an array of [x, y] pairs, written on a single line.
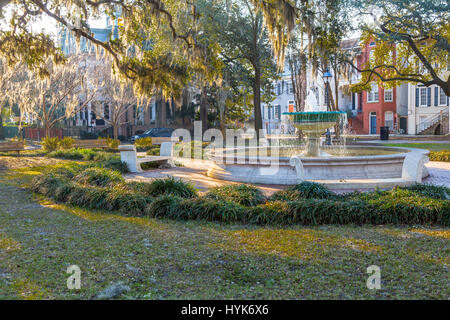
{"points": [[359, 167]]}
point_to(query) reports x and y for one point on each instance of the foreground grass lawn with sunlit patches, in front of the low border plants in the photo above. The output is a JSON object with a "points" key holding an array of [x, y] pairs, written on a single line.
{"points": [[165, 259]]}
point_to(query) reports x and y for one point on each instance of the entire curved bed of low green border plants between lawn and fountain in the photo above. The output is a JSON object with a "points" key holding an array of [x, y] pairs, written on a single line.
{"points": [[173, 199]]}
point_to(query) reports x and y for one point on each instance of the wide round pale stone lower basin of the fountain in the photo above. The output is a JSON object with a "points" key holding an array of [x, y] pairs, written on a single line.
{"points": [[394, 166]]}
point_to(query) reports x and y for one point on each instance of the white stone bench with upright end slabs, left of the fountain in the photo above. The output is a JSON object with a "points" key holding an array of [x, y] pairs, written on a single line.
{"points": [[128, 155]]}
